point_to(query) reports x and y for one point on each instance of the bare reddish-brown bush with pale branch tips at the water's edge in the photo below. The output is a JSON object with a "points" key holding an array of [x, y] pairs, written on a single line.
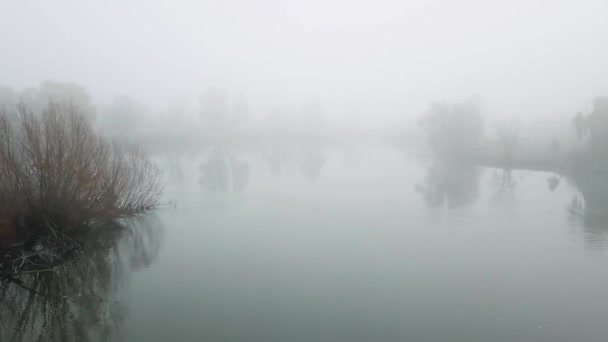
{"points": [[58, 178]]}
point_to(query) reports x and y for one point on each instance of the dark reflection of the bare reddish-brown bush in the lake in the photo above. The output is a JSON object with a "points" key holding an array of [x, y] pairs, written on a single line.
{"points": [[80, 299]]}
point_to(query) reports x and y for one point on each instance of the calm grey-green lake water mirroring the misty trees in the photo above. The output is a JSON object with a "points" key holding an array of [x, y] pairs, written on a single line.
{"points": [[342, 244]]}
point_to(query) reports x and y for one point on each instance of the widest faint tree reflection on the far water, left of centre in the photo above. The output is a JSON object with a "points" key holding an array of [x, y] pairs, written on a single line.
{"points": [[222, 171]]}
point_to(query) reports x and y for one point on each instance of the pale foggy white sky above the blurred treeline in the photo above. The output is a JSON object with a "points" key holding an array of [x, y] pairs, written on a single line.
{"points": [[376, 59]]}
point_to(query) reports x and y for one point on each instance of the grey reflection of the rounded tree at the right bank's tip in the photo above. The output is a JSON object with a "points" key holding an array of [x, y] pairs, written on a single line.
{"points": [[450, 183]]}
